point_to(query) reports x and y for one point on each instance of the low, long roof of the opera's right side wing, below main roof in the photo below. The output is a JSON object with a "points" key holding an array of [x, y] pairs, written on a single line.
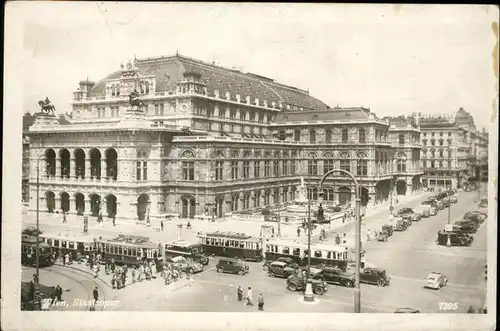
{"points": [[329, 114]]}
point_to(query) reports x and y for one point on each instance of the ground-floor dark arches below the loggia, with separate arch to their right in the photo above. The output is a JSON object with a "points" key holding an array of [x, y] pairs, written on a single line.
{"points": [[96, 205]]}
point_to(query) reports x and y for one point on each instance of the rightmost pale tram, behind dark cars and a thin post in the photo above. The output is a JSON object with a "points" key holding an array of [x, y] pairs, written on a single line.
{"points": [[321, 255]]}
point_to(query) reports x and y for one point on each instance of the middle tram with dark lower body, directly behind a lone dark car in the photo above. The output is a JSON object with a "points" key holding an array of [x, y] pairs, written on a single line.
{"points": [[231, 244]]}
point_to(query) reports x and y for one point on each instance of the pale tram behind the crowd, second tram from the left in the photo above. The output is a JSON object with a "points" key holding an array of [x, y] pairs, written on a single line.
{"points": [[77, 246]]}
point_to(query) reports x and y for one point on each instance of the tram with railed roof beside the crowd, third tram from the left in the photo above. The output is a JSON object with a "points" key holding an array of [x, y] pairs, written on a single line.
{"points": [[128, 250]]}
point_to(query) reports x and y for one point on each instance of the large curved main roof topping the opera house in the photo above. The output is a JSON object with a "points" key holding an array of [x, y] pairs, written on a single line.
{"points": [[170, 70]]}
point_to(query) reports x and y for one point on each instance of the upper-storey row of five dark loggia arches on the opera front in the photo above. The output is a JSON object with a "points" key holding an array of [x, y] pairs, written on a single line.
{"points": [[95, 157]]}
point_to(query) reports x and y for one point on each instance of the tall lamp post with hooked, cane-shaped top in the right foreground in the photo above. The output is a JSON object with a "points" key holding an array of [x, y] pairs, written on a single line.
{"points": [[357, 290]]}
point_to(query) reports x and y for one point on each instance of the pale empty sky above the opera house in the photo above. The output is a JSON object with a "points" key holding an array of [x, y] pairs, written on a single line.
{"points": [[394, 59]]}
